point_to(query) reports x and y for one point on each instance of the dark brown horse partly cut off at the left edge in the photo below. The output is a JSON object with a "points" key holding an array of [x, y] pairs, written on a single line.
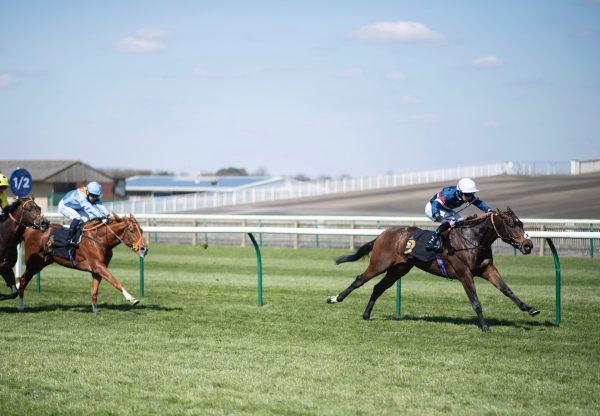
{"points": [[21, 214]]}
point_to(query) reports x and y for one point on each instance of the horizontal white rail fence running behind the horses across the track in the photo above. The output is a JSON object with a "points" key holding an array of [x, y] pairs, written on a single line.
{"points": [[305, 237]]}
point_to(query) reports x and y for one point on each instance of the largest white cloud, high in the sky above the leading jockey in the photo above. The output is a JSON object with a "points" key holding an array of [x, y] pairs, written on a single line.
{"points": [[400, 31]]}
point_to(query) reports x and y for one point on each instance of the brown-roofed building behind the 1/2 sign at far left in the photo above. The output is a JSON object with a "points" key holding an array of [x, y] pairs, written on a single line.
{"points": [[53, 178]]}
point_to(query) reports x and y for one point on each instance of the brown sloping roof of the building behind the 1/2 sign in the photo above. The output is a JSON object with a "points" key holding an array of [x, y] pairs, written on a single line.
{"points": [[55, 170]]}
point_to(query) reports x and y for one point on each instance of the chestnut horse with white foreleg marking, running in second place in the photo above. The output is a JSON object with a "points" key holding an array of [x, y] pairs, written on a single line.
{"points": [[93, 254]]}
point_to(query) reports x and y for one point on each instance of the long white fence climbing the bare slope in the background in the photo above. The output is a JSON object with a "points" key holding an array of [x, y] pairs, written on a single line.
{"points": [[190, 202]]}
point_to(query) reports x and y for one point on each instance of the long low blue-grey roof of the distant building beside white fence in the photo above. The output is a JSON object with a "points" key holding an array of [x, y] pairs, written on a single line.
{"points": [[156, 183]]}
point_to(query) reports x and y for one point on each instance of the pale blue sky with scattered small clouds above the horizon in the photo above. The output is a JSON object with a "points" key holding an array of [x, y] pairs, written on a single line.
{"points": [[314, 88]]}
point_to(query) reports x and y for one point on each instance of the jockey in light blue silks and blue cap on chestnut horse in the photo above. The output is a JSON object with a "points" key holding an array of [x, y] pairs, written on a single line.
{"points": [[81, 205]]}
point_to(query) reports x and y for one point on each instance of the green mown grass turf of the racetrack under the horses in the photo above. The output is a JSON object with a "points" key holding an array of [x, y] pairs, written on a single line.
{"points": [[198, 344]]}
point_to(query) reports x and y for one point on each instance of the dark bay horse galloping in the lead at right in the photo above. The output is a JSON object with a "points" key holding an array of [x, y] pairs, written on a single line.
{"points": [[466, 253]]}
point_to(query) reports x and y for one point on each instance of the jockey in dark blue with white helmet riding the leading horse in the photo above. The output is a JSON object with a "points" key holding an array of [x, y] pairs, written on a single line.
{"points": [[440, 207]]}
